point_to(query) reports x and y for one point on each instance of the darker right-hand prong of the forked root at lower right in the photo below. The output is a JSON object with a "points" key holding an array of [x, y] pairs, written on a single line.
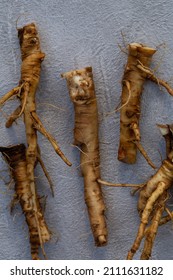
{"points": [[150, 235]]}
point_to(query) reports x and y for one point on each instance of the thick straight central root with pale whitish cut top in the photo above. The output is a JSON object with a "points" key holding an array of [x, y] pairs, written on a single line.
{"points": [[82, 93]]}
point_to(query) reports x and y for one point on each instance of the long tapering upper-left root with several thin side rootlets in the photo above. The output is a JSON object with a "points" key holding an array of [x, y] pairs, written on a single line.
{"points": [[30, 74]]}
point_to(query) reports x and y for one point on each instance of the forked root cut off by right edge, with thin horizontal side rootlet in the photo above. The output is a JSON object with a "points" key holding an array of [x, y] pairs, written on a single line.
{"points": [[152, 199]]}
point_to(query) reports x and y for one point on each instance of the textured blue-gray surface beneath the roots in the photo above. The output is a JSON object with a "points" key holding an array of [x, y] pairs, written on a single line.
{"points": [[75, 34]]}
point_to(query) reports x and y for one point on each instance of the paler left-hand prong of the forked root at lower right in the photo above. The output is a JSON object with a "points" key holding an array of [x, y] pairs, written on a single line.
{"points": [[161, 187]]}
